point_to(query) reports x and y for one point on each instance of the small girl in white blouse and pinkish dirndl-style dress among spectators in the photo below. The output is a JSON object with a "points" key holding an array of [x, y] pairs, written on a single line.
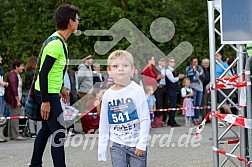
{"points": [[187, 94]]}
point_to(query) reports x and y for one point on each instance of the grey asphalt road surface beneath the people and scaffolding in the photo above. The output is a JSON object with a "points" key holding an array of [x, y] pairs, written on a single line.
{"points": [[174, 147]]}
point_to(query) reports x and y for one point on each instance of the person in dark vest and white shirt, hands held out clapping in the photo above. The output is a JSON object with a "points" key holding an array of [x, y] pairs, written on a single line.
{"points": [[172, 87]]}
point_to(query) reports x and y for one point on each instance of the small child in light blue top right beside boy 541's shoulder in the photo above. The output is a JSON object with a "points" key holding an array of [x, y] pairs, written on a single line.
{"points": [[151, 103]]}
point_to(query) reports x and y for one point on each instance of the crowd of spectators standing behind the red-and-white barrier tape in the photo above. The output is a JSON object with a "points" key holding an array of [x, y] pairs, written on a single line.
{"points": [[161, 82]]}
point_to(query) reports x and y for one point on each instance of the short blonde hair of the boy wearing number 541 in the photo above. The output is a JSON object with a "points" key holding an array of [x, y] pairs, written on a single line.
{"points": [[120, 53]]}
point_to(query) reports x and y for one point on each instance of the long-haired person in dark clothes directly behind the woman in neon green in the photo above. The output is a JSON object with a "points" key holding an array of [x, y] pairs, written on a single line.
{"points": [[34, 126]]}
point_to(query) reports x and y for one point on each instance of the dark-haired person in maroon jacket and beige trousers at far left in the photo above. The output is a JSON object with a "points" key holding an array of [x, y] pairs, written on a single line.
{"points": [[13, 96]]}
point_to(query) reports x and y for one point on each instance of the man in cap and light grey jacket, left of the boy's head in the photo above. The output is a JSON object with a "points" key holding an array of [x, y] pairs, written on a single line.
{"points": [[85, 75]]}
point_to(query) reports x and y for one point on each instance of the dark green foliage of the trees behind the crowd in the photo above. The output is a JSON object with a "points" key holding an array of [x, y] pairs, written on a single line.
{"points": [[25, 24]]}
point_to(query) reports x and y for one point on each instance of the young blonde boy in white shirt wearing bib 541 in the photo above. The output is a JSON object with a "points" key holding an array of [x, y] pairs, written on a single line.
{"points": [[124, 119]]}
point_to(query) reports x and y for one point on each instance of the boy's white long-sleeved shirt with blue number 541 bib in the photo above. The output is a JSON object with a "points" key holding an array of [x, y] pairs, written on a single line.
{"points": [[123, 112]]}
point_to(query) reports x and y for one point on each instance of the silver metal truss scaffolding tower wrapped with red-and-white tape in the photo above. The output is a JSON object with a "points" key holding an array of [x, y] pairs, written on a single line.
{"points": [[213, 19]]}
